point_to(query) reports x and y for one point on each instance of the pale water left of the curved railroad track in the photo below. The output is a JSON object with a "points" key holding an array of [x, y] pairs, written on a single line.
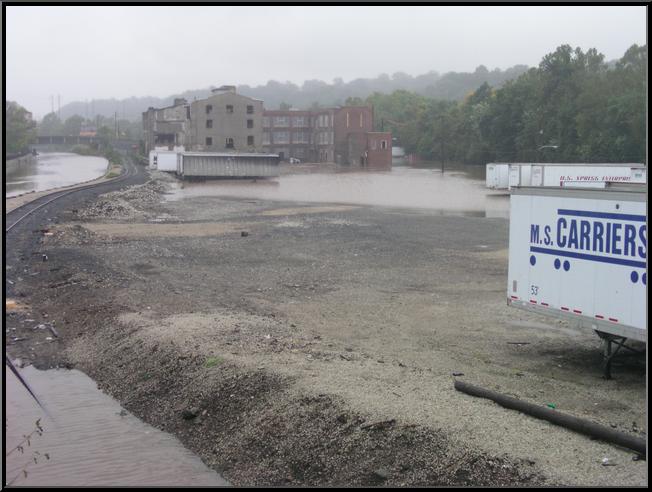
{"points": [[53, 170]]}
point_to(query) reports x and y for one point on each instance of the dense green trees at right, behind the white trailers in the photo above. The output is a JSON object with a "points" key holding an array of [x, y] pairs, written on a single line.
{"points": [[573, 107]]}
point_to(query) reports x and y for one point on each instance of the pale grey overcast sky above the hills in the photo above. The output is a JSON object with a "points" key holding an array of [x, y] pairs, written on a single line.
{"points": [[117, 51]]}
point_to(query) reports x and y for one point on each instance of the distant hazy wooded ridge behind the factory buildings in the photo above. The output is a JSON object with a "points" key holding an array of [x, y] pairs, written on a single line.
{"points": [[449, 86]]}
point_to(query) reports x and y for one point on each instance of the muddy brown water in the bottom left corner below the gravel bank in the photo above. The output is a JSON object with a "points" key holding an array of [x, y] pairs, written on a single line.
{"points": [[88, 440]]}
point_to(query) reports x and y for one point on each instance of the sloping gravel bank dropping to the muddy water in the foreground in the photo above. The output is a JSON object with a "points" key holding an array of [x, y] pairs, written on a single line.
{"points": [[257, 428]]}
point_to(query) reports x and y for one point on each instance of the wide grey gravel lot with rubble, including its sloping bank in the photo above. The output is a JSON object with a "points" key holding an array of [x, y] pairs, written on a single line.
{"points": [[294, 343]]}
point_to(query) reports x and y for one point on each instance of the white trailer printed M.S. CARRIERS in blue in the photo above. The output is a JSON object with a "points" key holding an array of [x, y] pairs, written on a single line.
{"points": [[581, 255]]}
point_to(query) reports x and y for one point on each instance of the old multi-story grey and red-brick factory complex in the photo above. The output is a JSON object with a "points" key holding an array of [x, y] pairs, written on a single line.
{"points": [[229, 122]]}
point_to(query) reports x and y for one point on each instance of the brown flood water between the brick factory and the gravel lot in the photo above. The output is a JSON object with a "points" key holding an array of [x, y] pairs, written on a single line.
{"points": [[459, 189]]}
